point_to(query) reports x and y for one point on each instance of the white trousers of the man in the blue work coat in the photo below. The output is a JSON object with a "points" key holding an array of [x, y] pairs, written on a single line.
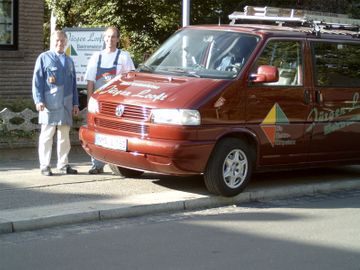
{"points": [[46, 143]]}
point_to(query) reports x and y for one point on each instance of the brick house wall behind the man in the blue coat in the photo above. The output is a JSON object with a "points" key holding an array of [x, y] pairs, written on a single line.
{"points": [[16, 67]]}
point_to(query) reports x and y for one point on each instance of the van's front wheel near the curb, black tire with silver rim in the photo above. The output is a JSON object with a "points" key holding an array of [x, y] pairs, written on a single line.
{"points": [[229, 168]]}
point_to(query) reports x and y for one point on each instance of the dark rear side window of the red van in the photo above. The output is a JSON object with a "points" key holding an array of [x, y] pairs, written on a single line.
{"points": [[336, 64]]}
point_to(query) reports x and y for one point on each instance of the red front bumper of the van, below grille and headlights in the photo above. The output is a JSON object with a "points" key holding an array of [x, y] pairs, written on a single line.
{"points": [[160, 156]]}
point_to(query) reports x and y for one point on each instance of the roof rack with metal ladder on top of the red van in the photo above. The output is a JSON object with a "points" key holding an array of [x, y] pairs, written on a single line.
{"points": [[317, 20]]}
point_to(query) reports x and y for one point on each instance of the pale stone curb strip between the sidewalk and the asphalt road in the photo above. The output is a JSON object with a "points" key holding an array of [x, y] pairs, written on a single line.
{"points": [[27, 219]]}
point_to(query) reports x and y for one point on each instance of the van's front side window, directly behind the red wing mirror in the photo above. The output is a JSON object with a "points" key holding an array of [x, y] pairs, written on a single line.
{"points": [[287, 57]]}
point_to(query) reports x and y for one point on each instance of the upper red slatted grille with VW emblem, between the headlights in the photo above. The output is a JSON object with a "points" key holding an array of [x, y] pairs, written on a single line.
{"points": [[131, 111]]}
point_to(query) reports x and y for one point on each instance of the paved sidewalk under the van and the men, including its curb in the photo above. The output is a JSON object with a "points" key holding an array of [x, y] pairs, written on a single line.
{"points": [[31, 201]]}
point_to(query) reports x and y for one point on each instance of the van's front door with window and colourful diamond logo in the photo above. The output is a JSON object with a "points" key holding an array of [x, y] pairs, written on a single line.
{"points": [[277, 111]]}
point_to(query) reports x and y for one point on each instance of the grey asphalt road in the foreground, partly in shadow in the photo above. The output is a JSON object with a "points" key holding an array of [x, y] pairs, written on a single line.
{"points": [[307, 232]]}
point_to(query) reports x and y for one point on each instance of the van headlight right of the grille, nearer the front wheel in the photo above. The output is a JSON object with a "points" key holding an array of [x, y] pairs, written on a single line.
{"points": [[176, 117]]}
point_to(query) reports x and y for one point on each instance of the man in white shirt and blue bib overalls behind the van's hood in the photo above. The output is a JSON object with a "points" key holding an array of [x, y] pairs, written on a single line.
{"points": [[102, 67]]}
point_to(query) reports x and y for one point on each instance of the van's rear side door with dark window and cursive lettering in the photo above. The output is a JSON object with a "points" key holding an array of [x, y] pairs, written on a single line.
{"points": [[336, 114]]}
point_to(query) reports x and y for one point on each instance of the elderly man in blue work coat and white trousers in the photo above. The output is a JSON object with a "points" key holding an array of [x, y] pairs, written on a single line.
{"points": [[56, 98]]}
